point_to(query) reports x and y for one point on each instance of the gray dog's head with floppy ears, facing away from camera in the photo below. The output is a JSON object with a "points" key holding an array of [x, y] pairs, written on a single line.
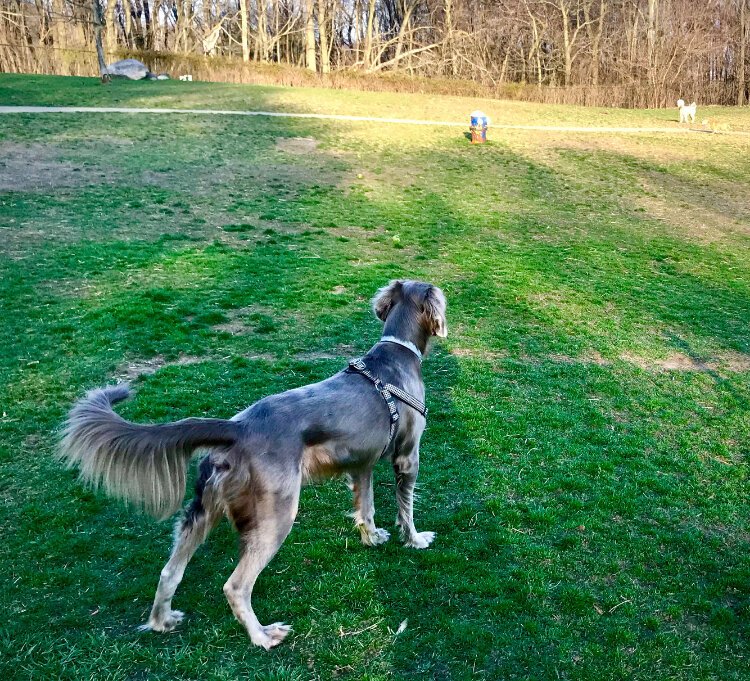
{"points": [[425, 300]]}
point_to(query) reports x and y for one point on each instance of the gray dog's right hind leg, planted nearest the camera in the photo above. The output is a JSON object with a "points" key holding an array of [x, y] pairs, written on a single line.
{"points": [[264, 519]]}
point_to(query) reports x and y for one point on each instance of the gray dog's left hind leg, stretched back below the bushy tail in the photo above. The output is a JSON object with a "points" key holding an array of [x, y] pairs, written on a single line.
{"points": [[190, 533]]}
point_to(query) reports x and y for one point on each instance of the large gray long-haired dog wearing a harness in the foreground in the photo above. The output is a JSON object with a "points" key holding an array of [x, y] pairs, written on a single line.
{"points": [[259, 460]]}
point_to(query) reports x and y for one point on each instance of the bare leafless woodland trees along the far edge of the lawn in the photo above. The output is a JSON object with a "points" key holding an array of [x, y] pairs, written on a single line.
{"points": [[609, 52]]}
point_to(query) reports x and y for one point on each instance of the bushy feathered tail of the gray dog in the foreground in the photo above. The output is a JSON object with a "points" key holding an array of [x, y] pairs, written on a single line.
{"points": [[143, 464]]}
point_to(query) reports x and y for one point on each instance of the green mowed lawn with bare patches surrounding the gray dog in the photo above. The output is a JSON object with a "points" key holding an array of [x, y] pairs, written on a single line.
{"points": [[585, 464]]}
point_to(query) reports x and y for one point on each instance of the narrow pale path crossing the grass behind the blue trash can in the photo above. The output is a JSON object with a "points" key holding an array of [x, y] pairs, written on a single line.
{"points": [[361, 119]]}
